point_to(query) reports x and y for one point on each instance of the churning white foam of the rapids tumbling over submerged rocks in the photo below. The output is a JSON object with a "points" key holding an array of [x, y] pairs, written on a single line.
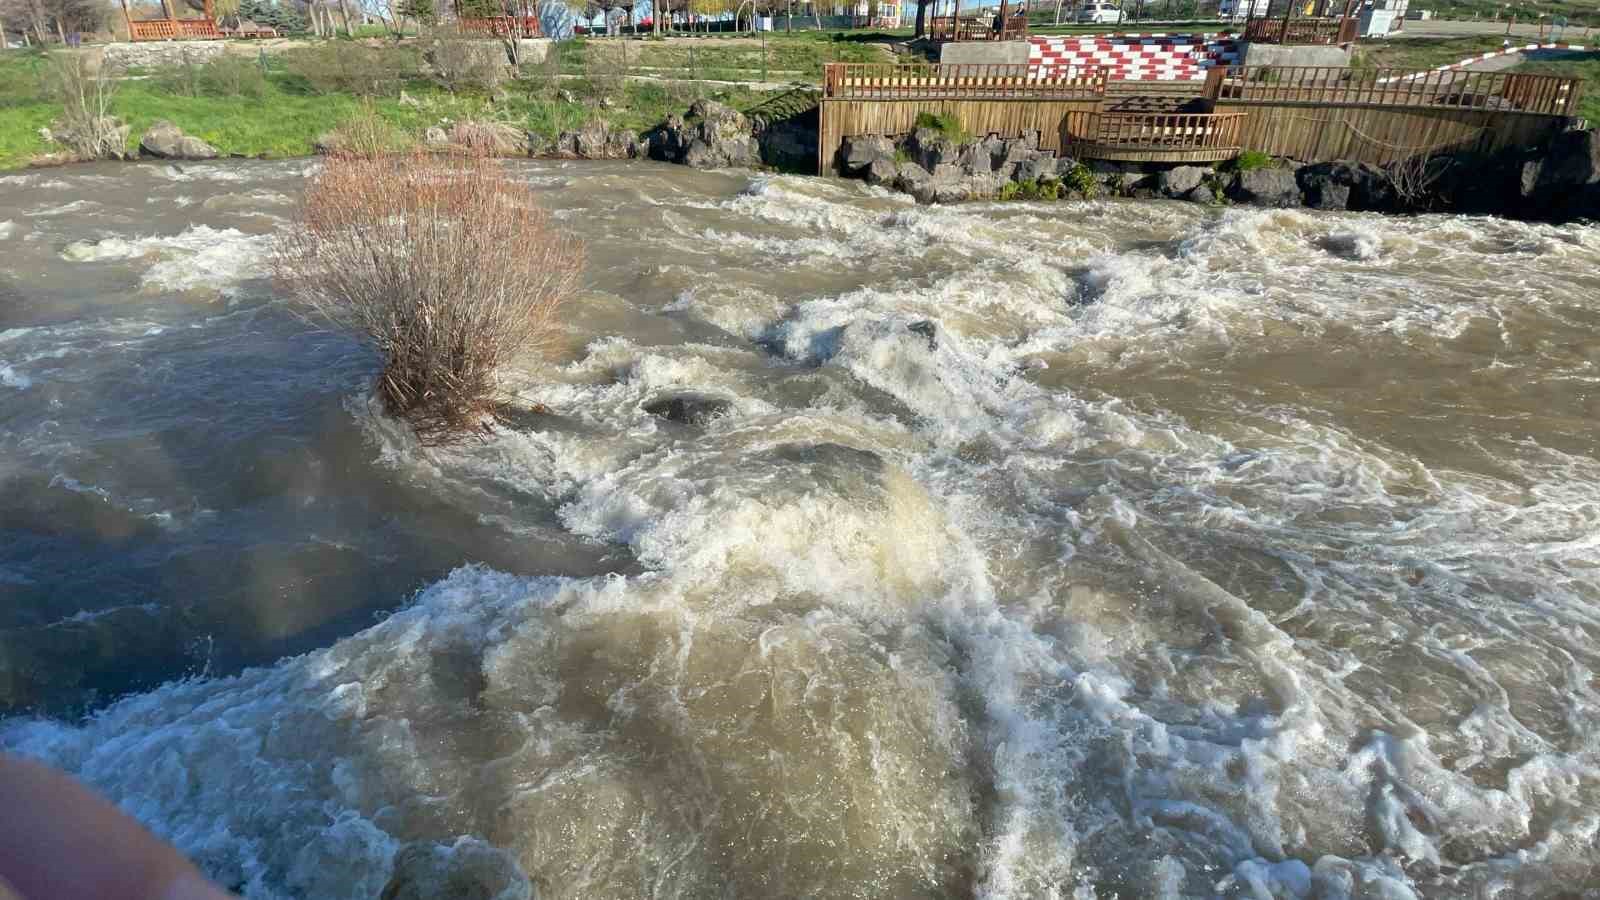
{"points": [[905, 621]]}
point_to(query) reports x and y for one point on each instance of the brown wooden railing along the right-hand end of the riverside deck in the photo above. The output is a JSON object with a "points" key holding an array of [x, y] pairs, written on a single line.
{"points": [[1505, 92]]}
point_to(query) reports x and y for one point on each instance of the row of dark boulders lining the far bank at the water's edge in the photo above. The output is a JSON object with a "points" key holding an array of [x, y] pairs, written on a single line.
{"points": [[1556, 182]]}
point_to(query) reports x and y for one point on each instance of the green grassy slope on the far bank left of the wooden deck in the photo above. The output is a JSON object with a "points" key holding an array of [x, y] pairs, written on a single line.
{"points": [[279, 106]]}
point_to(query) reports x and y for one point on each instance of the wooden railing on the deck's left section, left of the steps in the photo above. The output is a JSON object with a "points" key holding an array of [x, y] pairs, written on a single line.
{"points": [[874, 81]]}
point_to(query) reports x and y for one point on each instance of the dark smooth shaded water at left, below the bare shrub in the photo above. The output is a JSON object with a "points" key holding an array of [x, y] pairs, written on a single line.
{"points": [[278, 531]]}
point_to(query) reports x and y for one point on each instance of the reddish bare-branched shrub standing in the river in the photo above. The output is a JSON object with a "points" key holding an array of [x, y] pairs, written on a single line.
{"points": [[446, 265]]}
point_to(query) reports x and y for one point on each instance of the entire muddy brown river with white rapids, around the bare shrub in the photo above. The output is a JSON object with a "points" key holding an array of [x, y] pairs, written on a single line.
{"points": [[1090, 550]]}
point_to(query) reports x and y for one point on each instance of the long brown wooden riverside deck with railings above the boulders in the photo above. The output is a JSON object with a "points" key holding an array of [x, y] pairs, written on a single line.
{"points": [[1311, 115]]}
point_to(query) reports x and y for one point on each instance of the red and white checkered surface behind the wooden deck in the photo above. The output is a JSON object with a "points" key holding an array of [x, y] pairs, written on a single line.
{"points": [[1135, 57]]}
